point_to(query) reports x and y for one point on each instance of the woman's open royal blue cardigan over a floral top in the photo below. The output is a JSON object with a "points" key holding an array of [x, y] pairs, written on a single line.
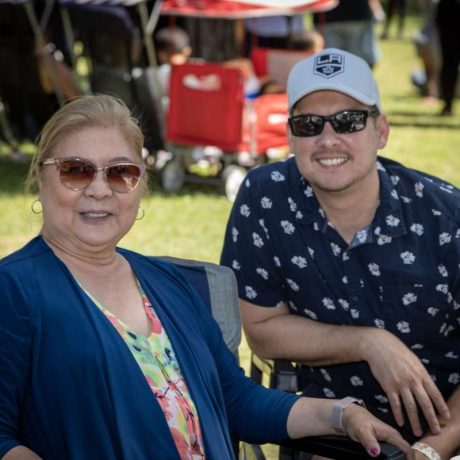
{"points": [[71, 389]]}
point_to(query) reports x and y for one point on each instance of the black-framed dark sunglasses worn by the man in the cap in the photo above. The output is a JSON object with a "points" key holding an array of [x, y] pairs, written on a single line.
{"points": [[347, 121]]}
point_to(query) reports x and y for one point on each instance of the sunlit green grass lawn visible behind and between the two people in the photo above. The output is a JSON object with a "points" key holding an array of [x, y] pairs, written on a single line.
{"points": [[191, 224]]}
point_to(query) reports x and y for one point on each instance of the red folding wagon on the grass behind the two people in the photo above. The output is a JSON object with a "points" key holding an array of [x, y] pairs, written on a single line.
{"points": [[215, 132]]}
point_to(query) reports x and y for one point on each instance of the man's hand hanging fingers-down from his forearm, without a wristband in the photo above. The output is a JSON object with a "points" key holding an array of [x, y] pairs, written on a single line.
{"points": [[405, 381]]}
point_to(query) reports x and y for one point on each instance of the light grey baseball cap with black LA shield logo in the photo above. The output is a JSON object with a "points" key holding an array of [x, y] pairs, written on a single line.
{"points": [[335, 70]]}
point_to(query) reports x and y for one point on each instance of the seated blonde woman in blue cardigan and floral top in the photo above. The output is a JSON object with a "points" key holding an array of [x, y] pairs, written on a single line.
{"points": [[107, 354]]}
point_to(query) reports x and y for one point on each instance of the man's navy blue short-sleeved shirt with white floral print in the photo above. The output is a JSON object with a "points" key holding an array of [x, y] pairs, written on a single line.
{"points": [[401, 273]]}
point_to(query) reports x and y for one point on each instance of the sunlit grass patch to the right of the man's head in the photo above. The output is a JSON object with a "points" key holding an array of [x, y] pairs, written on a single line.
{"points": [[419, 138]]}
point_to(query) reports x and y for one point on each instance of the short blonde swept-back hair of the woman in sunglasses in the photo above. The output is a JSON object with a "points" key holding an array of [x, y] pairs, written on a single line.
{"points": [[83, 112]]}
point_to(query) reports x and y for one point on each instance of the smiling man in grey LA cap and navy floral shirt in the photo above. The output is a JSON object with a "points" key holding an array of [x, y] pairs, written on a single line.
{"points": [[349, 263]]}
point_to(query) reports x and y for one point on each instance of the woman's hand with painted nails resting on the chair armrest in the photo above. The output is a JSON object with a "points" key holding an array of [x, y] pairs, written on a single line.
{"points": [[363, 427]]}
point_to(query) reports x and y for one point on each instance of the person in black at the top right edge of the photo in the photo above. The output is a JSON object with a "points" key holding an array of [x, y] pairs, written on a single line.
{"points": [[448, 20]]}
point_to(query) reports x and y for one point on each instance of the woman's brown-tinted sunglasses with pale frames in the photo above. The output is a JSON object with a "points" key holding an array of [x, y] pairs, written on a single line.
{"points": [[77, 174]]}
